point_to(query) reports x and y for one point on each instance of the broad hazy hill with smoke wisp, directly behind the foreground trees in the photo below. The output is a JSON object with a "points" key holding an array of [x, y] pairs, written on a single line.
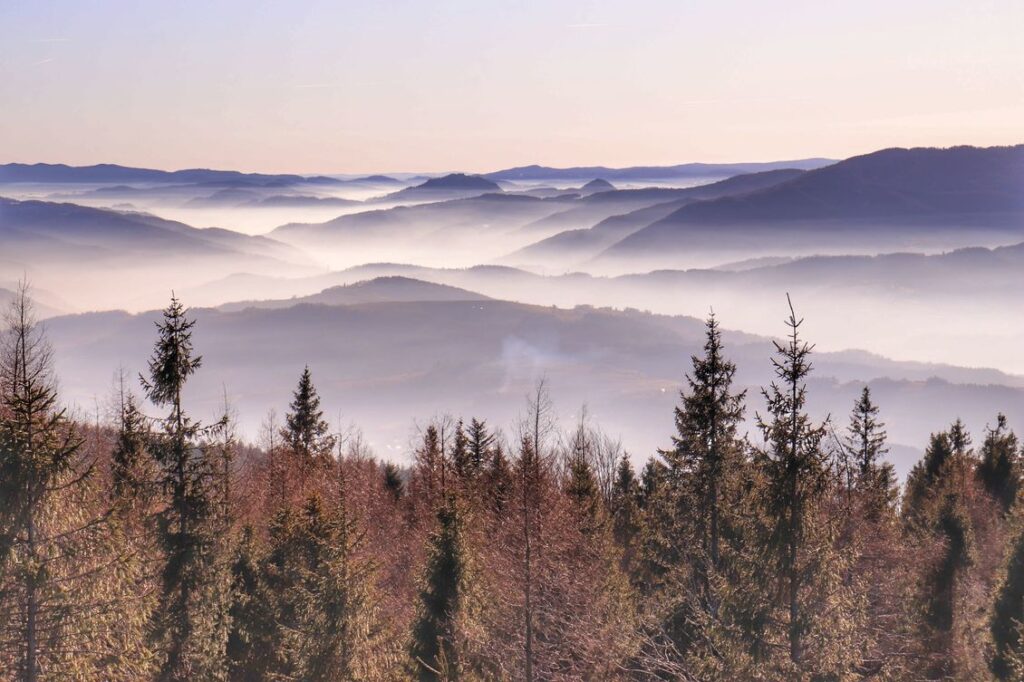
{"points": [[385, 365]]}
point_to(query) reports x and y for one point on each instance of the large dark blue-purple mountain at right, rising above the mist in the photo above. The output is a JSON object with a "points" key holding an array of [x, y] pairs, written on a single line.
{"points": [[895, 196]]}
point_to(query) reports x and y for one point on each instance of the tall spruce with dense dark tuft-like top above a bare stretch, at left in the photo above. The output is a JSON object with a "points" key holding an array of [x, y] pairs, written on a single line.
{"points": [[192, 620]]}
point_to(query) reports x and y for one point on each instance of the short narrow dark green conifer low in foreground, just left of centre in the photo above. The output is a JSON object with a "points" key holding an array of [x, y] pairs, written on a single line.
{"points": [[435, 651]]}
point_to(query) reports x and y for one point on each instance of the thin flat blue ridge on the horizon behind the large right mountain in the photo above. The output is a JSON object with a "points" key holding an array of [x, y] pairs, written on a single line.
{"points": [[641, 174]]}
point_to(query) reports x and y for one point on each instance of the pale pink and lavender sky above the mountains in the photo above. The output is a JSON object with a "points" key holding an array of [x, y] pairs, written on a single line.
{"points": [[479, 86]]}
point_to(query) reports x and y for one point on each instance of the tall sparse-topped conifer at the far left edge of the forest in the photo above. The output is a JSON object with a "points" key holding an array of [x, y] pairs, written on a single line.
{"points": [[39, 450]]}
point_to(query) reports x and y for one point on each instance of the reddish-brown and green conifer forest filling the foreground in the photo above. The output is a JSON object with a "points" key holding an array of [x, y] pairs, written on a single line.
{"points": [[758, 545]]}
